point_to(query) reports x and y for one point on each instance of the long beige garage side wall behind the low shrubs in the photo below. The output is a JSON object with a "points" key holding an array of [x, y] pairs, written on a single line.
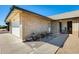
{"points": [[33, 23]]}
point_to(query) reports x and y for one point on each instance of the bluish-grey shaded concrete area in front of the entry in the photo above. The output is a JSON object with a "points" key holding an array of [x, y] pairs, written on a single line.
{"points": [[57, 40]]}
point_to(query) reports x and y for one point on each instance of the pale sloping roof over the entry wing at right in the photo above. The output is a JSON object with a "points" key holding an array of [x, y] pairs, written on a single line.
{"points": [[71, 14]]}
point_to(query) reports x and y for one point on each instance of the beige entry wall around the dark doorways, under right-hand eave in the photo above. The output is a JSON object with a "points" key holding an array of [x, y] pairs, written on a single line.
{"points": [[74, 25]]}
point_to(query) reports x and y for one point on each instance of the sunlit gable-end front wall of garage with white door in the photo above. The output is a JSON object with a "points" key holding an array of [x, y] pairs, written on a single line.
{"points": [[15, 25]]}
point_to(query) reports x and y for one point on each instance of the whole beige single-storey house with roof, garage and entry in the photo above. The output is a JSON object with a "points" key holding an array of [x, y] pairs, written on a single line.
{"points": [[23, 22]]}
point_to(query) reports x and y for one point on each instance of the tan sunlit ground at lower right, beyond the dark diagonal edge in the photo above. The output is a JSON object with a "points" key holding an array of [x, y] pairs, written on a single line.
{"points": [[71, 46]]}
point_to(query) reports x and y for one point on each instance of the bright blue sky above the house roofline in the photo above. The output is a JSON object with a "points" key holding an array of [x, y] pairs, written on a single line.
{"points": [[46, 10]]}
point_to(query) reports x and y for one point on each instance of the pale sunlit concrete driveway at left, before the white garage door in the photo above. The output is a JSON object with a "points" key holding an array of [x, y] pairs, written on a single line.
{"points": [[10, 44]]}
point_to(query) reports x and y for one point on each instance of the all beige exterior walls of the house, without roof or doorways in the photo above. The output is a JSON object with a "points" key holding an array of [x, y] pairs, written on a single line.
{"points": [[24, 23]]}
